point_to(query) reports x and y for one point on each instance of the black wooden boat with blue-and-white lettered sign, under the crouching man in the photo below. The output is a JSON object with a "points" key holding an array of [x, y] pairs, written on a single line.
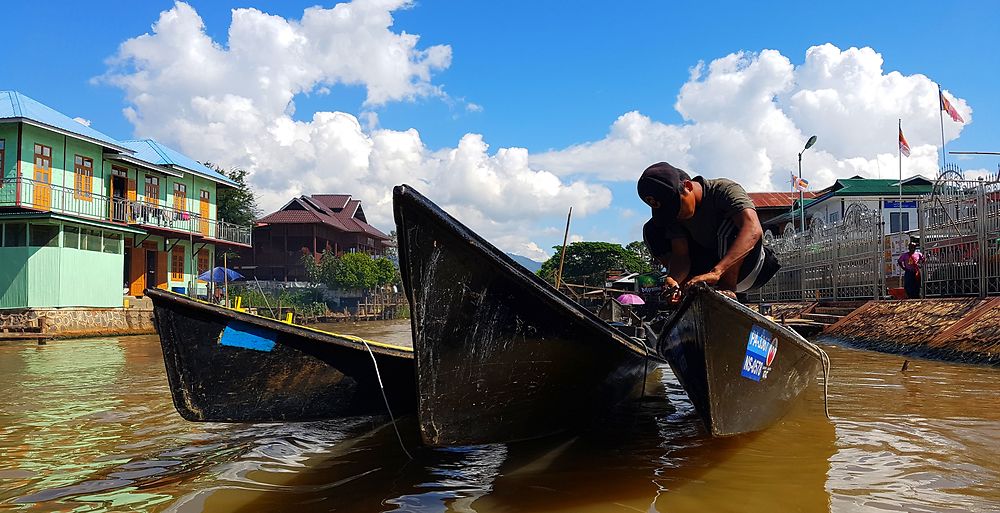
{"points": [[741, 370]]}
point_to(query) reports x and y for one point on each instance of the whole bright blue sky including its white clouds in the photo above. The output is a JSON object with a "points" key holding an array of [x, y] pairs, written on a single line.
{"points": [[507, 113]]}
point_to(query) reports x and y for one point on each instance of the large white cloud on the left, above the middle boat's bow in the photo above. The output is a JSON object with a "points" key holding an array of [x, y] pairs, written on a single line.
{"points": [[233, 104]]}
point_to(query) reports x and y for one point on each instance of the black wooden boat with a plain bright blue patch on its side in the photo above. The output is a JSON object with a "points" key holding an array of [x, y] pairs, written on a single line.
{"points": [[225, 365]]}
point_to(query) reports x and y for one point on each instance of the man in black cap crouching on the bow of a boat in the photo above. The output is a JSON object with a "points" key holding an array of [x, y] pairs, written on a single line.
{"points": [[704, 231]]}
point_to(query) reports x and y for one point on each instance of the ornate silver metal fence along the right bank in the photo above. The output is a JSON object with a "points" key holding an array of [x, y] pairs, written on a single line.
{"points": [[958, 231]]}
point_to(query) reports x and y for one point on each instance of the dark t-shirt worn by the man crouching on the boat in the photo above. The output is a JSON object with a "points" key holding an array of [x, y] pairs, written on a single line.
{"points": [[721, 198]]}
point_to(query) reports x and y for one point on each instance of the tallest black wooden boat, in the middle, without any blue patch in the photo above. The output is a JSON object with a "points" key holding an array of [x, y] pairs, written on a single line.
{"points": [[501, 355]]}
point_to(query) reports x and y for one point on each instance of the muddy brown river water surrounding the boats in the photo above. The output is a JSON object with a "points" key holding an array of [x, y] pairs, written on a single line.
{"points": [[88, 425]]}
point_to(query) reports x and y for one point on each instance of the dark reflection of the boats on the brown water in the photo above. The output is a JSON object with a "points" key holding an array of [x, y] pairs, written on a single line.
{"points": [[651, 455]]}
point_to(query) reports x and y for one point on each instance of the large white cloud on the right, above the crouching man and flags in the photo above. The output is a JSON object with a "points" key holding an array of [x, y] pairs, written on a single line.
{"points": [[747, 116]]}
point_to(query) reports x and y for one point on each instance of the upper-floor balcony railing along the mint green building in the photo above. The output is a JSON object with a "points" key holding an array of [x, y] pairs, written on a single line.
{"points": [[29, 193]]}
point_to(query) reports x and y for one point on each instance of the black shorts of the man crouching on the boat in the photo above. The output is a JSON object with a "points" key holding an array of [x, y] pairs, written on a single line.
{"points": [[759, 266]]}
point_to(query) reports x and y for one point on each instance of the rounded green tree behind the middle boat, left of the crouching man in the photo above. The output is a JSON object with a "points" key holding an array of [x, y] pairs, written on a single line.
{"points": [[587, 262]]}
